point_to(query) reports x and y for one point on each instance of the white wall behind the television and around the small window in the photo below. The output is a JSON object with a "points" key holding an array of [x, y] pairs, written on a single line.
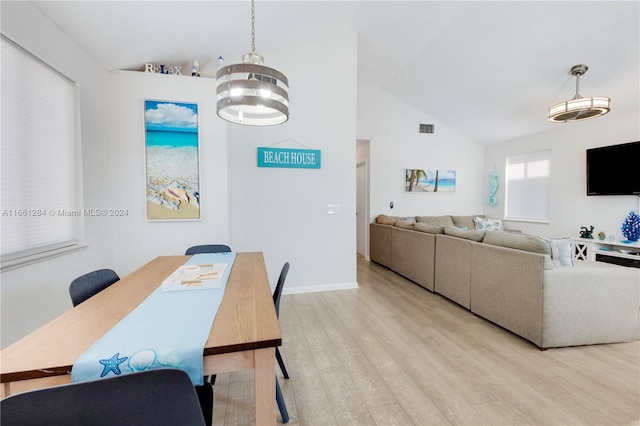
{"points": [[570, 206]]}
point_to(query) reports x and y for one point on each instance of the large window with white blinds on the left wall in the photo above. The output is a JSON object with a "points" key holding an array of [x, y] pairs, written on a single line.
{"points": [[40, 133]]}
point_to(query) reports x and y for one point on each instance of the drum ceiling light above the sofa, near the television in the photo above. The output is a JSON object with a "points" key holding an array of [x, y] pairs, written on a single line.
{"points": [[579, 108]]}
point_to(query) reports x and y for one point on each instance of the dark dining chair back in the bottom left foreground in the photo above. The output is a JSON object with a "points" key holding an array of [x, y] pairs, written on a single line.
{"points": [[152, 397]]}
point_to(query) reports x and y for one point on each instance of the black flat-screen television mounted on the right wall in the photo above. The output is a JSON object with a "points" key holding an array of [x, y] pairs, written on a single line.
{"points": [[614, 170]]}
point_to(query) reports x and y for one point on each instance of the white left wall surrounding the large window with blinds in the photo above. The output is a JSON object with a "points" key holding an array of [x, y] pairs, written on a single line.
{"points": [[35, 294]]}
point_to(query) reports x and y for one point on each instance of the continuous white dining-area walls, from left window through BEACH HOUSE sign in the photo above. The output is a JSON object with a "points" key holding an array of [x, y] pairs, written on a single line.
{"points": [[280, 212]]}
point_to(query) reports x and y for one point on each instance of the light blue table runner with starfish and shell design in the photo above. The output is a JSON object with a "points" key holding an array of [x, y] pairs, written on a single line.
{"points": [[167, 330]]}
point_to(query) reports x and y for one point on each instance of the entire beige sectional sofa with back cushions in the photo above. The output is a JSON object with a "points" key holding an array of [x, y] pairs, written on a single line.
{"points": [[513, 280]]}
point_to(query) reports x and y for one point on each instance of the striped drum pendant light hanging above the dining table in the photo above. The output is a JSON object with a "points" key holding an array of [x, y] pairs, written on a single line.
{"points": [[250, 93]]}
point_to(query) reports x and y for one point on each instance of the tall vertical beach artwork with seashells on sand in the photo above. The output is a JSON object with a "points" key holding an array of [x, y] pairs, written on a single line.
{"points": [[173, 172]]}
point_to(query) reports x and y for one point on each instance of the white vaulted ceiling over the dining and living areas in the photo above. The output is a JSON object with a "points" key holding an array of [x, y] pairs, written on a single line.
{"points": [[487, 69]]}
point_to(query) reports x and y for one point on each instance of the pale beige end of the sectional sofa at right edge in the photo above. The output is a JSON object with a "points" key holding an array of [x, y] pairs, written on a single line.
{"points": [[591, 303]]}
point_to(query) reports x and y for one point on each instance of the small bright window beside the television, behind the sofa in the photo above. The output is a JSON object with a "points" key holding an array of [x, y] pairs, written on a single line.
{"points": [[527, 186]]}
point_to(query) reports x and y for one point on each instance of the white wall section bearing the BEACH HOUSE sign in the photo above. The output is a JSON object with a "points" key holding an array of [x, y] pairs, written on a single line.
{"points": [[283, 212]]}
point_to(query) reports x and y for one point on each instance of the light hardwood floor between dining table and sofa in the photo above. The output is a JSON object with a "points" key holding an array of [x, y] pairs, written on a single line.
{"points": [[393, 353]]}
